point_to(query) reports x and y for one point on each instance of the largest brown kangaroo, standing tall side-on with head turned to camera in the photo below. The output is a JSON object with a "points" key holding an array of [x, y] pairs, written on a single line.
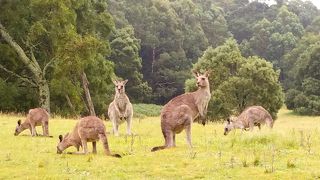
{"points": [[179, 113]]}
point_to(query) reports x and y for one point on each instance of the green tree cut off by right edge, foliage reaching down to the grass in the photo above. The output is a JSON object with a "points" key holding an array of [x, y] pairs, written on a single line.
{"points": [[304, 95]]}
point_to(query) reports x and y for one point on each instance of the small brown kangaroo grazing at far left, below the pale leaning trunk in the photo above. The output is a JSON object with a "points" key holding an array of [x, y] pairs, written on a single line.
{"points": [[35, 117]]}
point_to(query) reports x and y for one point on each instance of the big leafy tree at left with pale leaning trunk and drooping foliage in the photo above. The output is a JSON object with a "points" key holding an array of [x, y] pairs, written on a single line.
{"points": [[69, 36]]}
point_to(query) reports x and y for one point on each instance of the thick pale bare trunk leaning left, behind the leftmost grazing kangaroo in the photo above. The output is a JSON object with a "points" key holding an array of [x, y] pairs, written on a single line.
{"points": [[33, 66]]}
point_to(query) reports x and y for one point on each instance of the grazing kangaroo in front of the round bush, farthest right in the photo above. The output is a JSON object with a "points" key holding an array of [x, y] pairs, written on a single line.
{"points": [[250, 117]]}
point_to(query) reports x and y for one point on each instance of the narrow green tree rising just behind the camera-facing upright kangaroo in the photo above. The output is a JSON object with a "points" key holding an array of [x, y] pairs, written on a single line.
{"points": [[125, 50]]}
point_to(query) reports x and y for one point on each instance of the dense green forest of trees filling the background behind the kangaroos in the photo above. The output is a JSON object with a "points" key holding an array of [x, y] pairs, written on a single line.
{"points": [[51, 51]]}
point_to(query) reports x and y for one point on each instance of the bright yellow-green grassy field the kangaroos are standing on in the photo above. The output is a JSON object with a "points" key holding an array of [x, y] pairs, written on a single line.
{"points": [[290, 151]]}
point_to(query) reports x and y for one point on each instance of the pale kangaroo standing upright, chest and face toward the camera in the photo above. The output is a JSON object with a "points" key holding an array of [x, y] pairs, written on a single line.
{"points": [[120, 109]]}
